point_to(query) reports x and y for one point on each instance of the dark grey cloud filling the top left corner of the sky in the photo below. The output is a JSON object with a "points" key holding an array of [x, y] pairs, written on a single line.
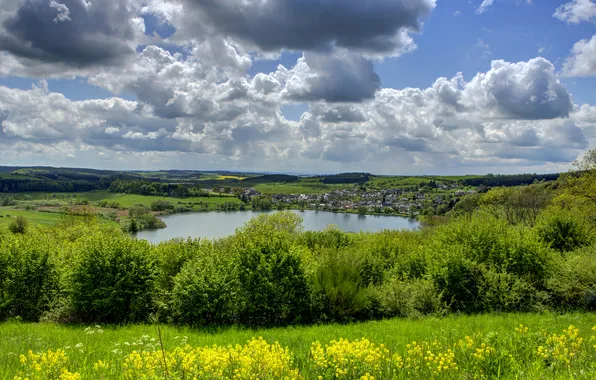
{"points": [[73, 32]]}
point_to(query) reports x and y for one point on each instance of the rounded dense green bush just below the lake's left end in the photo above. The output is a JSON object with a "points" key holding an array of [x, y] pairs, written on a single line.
{"points": [[112, 280]]}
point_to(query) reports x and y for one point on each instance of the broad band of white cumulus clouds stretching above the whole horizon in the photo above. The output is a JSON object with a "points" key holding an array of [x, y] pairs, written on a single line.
{"points": [[512, 114]]}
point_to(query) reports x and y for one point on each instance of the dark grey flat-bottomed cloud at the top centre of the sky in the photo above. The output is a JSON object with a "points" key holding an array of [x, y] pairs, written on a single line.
{"points": [[377, 27]]}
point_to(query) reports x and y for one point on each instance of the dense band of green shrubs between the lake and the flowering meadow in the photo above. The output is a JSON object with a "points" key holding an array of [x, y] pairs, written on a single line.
{"points": [[271, 273]]}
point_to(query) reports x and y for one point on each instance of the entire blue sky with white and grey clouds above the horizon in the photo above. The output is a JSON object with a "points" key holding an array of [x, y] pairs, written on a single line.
{"points": [[399, 87]]}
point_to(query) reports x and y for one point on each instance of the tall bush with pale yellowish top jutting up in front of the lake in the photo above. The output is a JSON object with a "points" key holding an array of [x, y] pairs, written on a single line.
{"points": [[272, 280]]}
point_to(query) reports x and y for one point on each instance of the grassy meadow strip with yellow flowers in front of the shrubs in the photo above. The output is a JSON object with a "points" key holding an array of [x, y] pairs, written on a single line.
{"points": [[484, 346]]}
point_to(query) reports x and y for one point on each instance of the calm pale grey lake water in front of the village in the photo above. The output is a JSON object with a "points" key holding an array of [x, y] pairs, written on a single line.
{"points": [[220, 224]]}
